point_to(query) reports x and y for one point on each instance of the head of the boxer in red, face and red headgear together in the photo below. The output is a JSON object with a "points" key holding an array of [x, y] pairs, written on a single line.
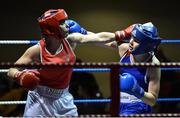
{"points": [[52, 24]]}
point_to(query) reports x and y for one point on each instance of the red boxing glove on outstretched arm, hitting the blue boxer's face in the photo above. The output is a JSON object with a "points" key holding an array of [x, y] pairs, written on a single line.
{"points": [[126, 33]]}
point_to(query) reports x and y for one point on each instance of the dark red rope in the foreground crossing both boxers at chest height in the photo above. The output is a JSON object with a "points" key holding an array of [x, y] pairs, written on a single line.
{"points": [[92, 65]]}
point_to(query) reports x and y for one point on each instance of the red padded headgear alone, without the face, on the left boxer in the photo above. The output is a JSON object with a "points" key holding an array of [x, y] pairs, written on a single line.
{"points": [[49, 21]]}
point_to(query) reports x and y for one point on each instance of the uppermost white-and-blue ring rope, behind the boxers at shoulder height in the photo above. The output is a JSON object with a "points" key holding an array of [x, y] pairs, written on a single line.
{"points": [[34, 41]]}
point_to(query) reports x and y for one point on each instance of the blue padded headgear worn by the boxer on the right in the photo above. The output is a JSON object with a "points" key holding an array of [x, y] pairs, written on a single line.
{"points": [[147, 36]]}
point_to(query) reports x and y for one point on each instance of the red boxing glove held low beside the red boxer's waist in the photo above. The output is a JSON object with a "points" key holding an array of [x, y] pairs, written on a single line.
{"points": [[28, 79]]}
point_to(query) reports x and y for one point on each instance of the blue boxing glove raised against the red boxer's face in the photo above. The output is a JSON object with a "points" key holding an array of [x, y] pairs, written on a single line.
{"points": [[75, 27]]}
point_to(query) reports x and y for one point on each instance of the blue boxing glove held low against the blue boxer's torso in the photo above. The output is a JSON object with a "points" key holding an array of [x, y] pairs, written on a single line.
{"points": [[129, 84]]}
